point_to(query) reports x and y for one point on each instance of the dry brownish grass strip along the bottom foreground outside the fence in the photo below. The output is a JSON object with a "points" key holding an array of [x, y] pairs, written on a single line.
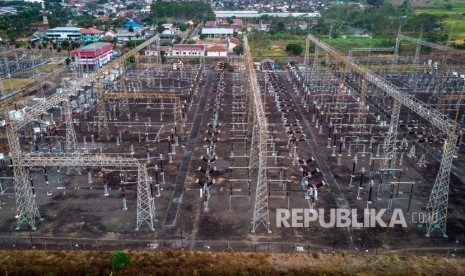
{"points": [[36, 262]]}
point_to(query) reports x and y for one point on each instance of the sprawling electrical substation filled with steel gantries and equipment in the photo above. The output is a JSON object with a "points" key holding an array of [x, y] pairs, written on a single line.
{"points": [[202, 152]]}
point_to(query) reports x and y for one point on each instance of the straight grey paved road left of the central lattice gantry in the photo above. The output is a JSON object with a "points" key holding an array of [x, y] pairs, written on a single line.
{"points": [[176, 198]]}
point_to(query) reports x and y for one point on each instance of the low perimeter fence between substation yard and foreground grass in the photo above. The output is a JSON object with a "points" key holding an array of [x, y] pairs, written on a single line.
{"points": [[53, 243]]}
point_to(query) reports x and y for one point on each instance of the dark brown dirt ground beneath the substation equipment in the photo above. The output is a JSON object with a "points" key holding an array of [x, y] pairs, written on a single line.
{"points": [[75, 209]]}
